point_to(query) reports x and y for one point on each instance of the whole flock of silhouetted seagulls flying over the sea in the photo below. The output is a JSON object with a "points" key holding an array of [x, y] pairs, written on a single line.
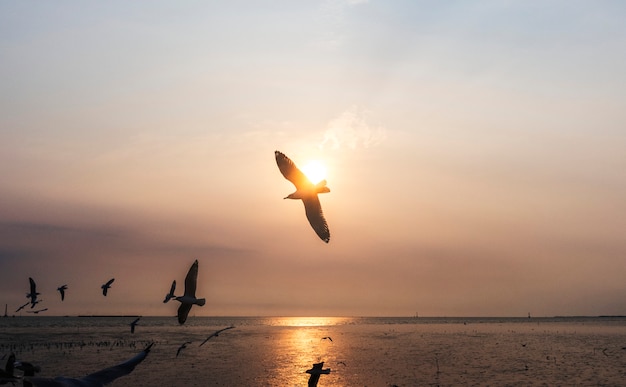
{"points": [[305, 191]]}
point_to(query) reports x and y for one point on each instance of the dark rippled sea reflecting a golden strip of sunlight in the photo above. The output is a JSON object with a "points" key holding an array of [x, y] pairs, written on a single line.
{"points": [[356, 351]]}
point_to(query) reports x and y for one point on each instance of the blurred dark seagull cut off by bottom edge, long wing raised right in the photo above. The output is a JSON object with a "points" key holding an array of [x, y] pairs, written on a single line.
{"points": [[97, 379]]}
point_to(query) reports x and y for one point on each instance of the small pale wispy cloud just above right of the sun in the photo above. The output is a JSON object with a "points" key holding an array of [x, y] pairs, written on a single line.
{"points": [[352, 130]]}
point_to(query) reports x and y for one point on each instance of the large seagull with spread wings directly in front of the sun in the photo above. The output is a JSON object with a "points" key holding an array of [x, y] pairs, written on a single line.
{"points": [[307, 192]]}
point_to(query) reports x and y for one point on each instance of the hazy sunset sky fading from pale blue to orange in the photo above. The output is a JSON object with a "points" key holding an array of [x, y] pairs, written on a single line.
{"points": [[475, 153]]}
